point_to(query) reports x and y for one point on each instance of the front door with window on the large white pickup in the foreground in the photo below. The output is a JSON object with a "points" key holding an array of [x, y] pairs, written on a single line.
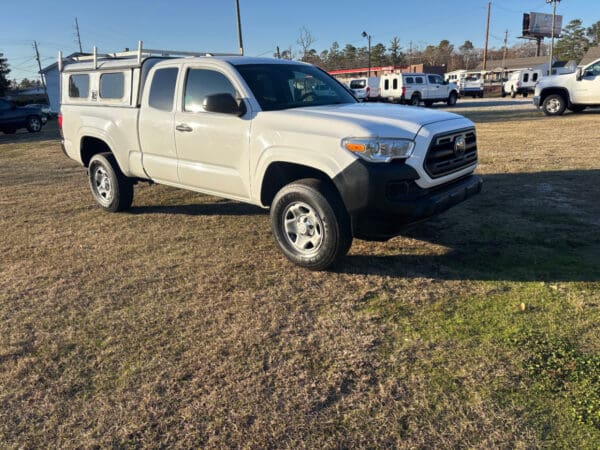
{"points": [[213, 148]]}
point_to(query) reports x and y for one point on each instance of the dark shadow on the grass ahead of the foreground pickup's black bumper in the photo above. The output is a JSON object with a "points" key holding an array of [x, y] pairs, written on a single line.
{"points": [[522, 227]]}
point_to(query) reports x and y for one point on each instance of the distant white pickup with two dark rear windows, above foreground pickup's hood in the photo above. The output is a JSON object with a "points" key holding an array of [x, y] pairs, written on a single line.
{"points": [[414, 88]]}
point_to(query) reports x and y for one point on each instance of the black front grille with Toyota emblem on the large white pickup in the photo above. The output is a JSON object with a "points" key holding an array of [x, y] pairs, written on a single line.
{"points": [[443, 156]]}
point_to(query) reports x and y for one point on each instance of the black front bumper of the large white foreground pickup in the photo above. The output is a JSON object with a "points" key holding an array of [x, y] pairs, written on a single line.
{"points": [[383, 199]]}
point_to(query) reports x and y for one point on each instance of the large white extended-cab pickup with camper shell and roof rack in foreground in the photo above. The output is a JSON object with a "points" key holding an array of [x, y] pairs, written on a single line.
{"points": [[259, 131]]}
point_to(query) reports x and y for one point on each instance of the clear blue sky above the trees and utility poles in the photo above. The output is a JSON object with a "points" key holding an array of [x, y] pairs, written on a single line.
{"points": [[205, 25]]}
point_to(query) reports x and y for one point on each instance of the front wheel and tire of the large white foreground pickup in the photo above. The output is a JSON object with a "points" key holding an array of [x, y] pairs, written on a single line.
{"points": [[310, 224]]}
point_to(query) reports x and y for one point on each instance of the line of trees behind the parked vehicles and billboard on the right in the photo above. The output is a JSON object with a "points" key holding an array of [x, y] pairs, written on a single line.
{"points": [[575, 41]]}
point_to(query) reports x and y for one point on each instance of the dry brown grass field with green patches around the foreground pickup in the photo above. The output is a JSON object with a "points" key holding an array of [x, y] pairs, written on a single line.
{"points": [[179, 324]]}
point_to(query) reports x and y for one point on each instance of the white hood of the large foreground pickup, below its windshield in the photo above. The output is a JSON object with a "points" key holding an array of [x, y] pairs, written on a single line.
{"points": [[362, 119]]}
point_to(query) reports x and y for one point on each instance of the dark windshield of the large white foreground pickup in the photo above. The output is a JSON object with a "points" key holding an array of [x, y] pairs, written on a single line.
{"points": [[283, 86]]}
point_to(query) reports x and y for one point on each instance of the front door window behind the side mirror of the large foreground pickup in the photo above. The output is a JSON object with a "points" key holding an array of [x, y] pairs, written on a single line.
{"points": [[200, 83]]}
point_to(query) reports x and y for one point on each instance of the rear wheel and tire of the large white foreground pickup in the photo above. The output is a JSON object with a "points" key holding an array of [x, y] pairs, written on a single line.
{"points": [[112, 190]]}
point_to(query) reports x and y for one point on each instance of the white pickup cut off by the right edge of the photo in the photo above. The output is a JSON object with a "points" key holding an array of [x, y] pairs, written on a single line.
{"points": [[572, 91]]}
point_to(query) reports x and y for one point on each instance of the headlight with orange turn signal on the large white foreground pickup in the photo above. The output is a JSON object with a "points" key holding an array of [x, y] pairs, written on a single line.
{"points": [[379, 149]]}
